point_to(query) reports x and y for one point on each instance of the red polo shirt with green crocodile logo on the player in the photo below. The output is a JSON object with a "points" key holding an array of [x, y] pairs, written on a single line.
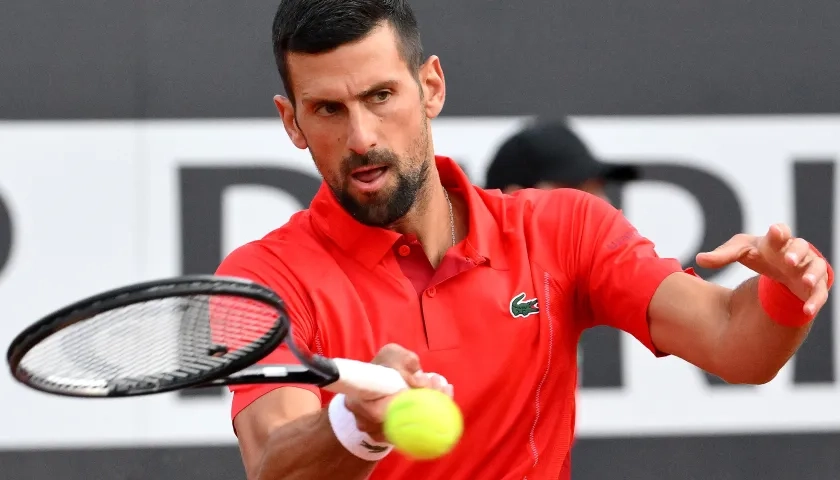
{"points": [[500, 318]]}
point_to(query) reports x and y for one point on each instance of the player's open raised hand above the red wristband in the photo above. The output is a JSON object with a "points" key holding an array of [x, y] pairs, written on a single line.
{"points": [[786, 259]]}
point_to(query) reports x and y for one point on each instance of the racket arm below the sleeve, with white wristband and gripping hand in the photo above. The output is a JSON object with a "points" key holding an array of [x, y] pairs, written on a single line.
{"points": [[286, 434]]}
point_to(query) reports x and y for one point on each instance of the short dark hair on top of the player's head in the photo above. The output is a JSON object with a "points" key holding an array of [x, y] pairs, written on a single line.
{"points": [[317, 26]]}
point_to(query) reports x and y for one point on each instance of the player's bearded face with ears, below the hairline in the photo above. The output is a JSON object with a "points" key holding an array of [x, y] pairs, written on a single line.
{"points": [[364, 116]]}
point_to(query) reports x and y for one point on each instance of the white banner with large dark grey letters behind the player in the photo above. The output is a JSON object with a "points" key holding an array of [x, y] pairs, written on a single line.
{"points": [[90, 205]]}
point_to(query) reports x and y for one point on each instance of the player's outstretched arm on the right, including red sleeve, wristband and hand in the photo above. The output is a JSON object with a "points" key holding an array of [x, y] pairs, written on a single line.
{"points": [[742, 335]]}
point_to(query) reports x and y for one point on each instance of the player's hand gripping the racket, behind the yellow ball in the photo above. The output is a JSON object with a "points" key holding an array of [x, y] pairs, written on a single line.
{"points": [[371, 412]]}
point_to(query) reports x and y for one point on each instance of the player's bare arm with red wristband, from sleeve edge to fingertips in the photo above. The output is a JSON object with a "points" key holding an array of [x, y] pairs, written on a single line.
{"points": [[746, 334]]}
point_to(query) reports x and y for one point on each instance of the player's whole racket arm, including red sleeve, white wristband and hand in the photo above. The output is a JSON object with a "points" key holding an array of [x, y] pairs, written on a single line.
{"points": [[284, 432]]}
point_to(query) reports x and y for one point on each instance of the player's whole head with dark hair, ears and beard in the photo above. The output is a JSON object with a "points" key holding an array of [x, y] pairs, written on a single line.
{"points": [[360, 98]]}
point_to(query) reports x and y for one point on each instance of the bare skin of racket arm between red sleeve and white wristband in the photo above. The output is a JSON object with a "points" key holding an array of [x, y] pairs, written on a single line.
{"points": [[286, 434]]}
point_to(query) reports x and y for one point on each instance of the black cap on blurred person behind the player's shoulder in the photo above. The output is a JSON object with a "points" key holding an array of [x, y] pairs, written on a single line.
{"points": [[550, 152]]}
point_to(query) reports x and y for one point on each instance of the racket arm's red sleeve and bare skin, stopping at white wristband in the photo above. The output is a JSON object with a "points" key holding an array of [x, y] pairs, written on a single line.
{"points": [[284, 432]]}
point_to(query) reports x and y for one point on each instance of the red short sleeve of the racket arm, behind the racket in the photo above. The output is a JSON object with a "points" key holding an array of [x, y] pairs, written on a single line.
{"points": [[252, 262]]}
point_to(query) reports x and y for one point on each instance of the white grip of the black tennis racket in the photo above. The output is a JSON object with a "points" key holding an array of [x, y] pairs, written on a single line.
{"points": [[365, 380]]}
